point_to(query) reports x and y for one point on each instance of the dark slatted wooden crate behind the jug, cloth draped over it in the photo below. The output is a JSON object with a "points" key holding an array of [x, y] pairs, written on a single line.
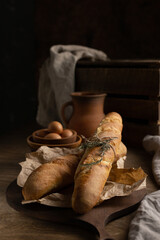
{"points": [[133, 90]]}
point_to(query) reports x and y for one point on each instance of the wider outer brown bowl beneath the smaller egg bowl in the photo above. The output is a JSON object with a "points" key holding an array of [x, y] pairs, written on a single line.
{"points": [[34, 145]]}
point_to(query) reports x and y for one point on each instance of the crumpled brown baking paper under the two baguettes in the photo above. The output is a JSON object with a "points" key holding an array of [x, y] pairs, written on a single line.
{"points": [[121, 181]]}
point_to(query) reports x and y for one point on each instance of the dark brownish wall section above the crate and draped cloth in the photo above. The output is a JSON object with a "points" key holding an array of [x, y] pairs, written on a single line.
{"points": [[121, 28]]}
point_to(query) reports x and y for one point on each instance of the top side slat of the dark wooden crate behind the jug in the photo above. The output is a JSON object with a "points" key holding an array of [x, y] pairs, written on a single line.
{"points": [[131, 81]]}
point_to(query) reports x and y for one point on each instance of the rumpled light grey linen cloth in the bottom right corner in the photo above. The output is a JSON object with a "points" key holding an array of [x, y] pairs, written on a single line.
{"points": [[146, 224]]}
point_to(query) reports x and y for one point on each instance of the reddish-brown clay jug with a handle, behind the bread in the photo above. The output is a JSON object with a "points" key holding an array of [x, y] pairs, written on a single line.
{"points": [[87, 112]]}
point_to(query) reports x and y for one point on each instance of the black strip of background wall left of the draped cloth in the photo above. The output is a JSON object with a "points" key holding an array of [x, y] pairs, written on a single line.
{"points": [[18, 101]]}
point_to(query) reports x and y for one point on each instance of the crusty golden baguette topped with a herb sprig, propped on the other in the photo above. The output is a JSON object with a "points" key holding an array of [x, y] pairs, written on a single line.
{"points": [[93, 169]]}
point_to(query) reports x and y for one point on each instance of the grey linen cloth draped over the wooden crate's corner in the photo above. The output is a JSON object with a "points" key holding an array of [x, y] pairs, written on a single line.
{"points": [[57, 82]]}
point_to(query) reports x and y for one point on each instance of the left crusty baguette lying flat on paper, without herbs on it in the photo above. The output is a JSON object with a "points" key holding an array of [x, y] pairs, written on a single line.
{"points": [[50, 176]]}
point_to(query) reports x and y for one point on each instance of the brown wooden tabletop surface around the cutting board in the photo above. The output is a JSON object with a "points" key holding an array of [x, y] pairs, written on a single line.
{"points": [[15, 225]]}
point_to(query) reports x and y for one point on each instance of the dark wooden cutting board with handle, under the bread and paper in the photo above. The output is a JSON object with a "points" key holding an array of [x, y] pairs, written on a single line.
{"points": [[96, 219]]}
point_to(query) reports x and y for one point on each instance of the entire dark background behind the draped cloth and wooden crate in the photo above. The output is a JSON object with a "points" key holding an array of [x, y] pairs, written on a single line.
{"points": [[124, 29]]}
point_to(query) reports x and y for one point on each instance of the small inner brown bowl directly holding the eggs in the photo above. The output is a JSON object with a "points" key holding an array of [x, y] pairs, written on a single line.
{"points": [[38, 136]]}
